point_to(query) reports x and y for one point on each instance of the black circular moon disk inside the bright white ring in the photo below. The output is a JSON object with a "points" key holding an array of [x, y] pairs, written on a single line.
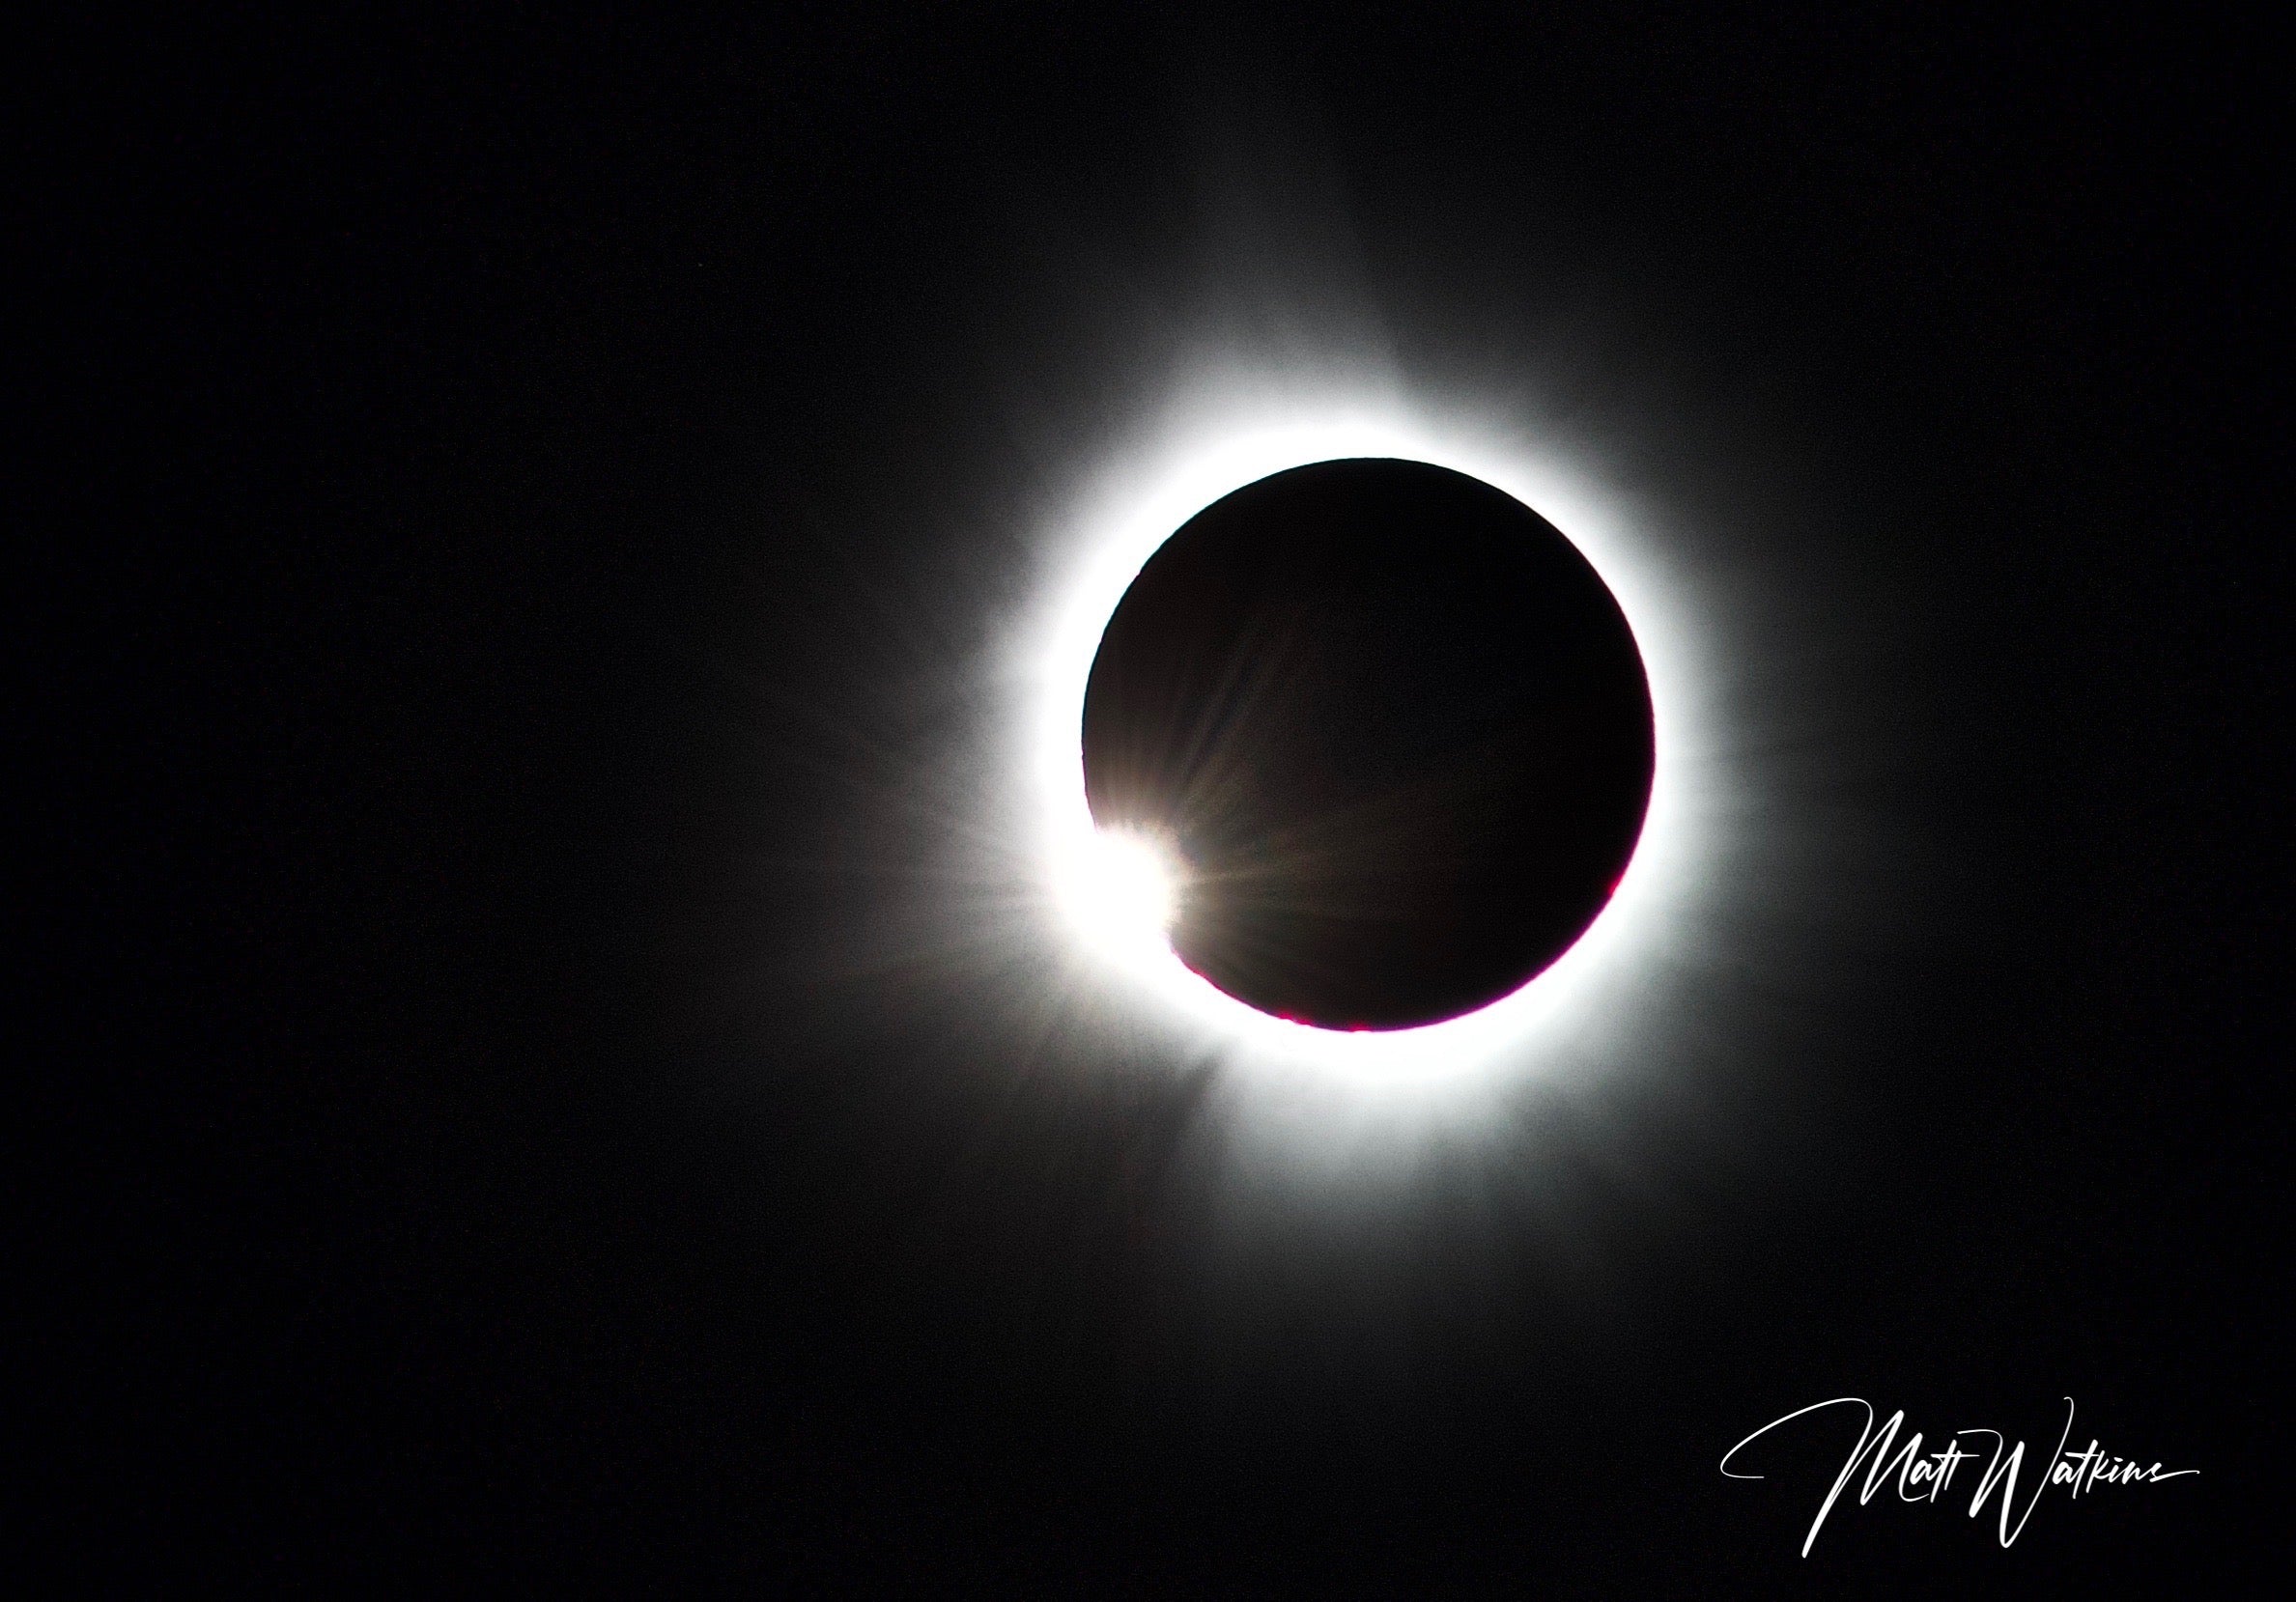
{"points": [[1395, 729]]}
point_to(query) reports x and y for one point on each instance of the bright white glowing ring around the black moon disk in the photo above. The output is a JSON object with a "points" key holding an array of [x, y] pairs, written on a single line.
{"points": [[1601, 986]]}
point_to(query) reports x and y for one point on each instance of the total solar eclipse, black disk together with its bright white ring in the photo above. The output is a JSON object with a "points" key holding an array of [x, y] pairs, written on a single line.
{"points": [[1213, 940]]}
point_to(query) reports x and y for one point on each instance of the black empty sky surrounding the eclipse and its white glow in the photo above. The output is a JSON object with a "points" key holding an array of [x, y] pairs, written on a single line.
{"points": [[490, 596]]}
